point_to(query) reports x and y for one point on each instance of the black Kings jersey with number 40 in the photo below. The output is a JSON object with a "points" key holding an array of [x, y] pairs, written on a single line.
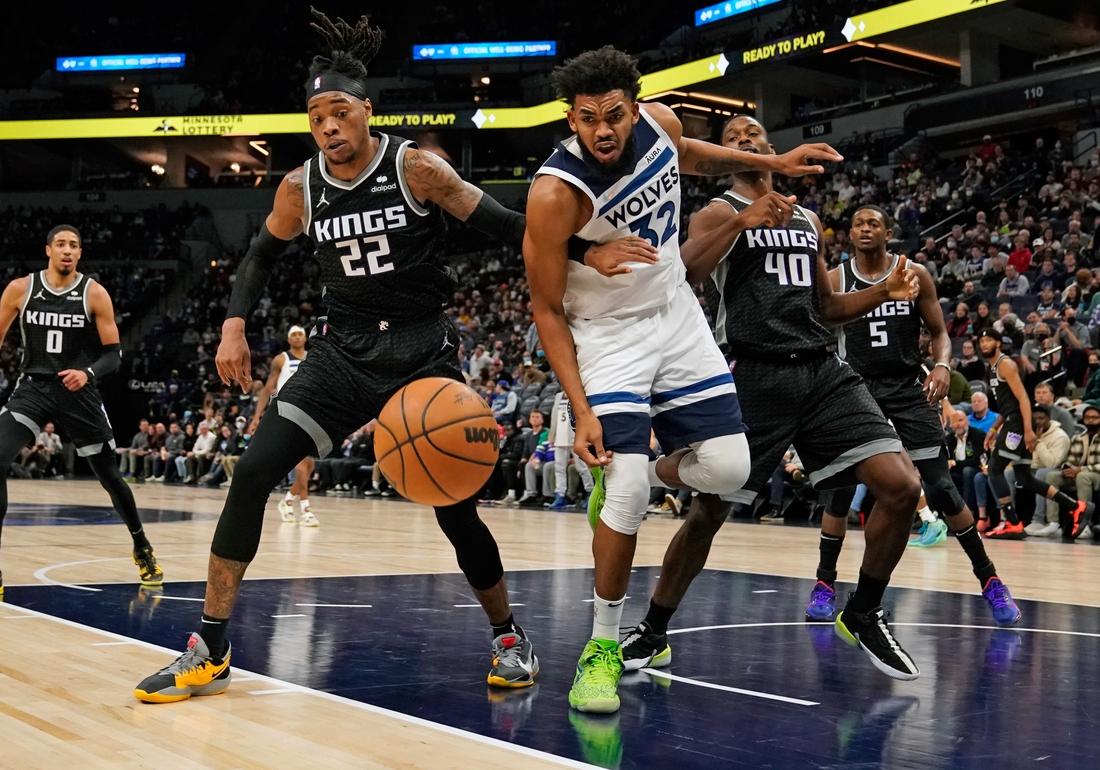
{"points": [[768, 303]]}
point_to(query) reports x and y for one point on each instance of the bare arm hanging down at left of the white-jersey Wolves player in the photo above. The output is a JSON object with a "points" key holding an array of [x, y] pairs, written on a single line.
{"points": [[554, 212]]}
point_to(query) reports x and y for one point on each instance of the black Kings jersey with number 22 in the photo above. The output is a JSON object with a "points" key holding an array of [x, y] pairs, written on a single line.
{"points": [[378, 246]]}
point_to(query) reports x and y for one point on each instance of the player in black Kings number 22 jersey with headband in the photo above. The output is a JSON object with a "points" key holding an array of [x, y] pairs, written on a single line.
{"points": [[373, 206]]}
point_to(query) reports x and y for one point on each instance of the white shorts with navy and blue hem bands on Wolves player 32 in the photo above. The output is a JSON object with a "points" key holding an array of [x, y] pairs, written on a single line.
{"points": [[658, 370]]}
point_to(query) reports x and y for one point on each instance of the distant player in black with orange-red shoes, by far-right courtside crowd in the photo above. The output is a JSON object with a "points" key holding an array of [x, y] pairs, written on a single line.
{"points": [[1013, 441]]}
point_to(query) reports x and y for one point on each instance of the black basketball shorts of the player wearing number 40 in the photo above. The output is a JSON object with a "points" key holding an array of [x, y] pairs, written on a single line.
{"points": [[822, 408]]}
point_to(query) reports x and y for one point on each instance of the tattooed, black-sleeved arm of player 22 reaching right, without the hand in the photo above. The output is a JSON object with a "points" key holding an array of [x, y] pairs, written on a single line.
{"points": [[432, 179]]}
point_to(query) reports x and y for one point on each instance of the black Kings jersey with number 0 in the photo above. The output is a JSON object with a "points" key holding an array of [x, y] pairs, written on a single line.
{"points": [[59, 332]]}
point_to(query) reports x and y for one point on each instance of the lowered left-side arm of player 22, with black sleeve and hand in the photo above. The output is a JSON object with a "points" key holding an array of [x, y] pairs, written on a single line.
{"points": [[283, 225]]}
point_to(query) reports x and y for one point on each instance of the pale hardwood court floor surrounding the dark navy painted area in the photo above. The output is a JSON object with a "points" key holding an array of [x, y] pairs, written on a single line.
{"points": [[65, 689]]}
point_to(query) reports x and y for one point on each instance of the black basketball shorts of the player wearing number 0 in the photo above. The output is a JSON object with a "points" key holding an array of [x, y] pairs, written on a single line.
{"points": [[43, 399]]}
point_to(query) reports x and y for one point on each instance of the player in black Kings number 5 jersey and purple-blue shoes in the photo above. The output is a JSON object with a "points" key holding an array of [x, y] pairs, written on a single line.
{"points": [[884, 348]]}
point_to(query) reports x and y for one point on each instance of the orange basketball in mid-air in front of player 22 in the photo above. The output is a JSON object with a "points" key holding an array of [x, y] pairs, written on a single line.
{"points": [[437, 442]]}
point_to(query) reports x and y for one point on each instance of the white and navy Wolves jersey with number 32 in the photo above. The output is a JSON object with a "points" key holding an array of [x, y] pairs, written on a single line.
{"points": [[644, 203]]}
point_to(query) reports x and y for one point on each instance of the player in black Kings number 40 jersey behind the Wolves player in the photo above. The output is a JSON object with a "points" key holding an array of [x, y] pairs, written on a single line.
{"points": [[765, 258]]}
